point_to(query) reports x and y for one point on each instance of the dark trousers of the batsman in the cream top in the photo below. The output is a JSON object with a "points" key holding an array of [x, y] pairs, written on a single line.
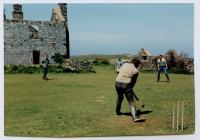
{"points": [[125, 88]]}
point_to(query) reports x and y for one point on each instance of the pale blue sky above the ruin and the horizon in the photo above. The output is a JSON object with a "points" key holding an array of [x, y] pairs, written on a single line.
{"points": [[123, 28]]}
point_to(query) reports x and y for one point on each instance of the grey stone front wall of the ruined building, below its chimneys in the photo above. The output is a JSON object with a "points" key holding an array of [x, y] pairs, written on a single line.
{"points": [[19, 44]]}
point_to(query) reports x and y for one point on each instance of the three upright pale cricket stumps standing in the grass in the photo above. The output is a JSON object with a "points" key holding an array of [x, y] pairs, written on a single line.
{"points": [[176, 111]]}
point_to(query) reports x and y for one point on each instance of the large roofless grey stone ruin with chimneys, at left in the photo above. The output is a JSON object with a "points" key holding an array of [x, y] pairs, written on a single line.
{"points": [[28, 41]]}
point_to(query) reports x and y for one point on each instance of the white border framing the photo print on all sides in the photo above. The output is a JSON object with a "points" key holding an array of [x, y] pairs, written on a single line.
{"points": [[194, 136]]}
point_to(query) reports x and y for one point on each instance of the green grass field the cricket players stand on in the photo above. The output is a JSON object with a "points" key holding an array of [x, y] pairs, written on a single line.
{"points": [[84, 105]]}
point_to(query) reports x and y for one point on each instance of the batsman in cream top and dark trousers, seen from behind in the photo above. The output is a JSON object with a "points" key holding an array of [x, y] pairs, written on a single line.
{"points": [[124, 85]]}
